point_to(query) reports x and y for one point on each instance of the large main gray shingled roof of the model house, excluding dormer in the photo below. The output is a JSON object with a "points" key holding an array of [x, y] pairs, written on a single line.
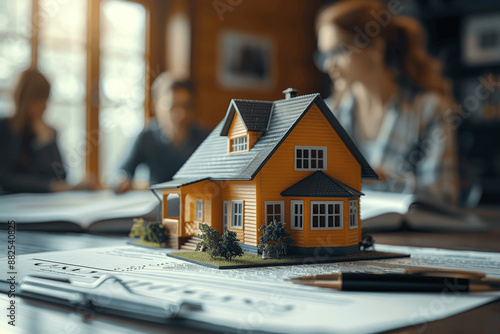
{"points": [[211, 160]]}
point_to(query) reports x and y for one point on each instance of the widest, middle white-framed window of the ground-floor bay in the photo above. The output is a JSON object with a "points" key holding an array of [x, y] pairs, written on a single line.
{"points": [[326, 215]]}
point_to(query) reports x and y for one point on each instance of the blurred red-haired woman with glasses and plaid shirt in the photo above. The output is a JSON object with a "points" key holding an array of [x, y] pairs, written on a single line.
{"points": [[390, 96]]}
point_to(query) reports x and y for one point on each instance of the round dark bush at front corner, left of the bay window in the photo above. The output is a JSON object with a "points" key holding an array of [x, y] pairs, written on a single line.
{"points": [[275, 240]]}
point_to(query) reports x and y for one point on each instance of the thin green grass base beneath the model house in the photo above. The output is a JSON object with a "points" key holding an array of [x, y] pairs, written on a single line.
{"points": [[252, 261]]}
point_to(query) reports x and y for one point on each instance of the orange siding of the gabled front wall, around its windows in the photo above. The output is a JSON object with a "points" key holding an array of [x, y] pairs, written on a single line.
{"points": [[279, 174]]}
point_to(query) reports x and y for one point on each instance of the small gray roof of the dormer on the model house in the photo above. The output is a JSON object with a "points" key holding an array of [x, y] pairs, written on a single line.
{"points": [[255, 115]]}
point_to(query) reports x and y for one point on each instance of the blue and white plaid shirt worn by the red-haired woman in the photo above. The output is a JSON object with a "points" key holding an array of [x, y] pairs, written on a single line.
{"points": [[415, 148]]}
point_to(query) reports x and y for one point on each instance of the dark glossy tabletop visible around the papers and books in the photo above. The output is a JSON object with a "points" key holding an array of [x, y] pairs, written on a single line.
{"points": [[41, 317]]}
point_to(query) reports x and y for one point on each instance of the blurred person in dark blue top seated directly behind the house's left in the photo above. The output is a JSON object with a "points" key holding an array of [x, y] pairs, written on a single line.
{"points": [[169, 138]]}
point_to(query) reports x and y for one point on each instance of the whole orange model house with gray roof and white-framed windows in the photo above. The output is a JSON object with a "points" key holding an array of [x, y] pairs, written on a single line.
{"points": [[288, 160]]}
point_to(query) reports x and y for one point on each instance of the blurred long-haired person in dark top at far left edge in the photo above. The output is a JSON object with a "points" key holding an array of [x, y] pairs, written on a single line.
{"points": [[29, 156]]}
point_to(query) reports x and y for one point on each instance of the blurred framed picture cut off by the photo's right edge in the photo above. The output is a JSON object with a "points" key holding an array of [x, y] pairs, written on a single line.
{"points": [[481, 40]]}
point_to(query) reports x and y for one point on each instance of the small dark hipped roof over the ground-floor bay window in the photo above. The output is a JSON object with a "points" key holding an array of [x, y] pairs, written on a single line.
{"points": [[318, 184]]}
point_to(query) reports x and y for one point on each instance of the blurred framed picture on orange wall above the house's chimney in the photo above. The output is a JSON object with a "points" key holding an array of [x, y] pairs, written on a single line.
{"points": [[246, 61]]}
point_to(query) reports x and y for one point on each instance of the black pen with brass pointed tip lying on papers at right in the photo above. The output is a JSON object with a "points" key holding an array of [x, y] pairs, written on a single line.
{"points": [[398, 282]]}
